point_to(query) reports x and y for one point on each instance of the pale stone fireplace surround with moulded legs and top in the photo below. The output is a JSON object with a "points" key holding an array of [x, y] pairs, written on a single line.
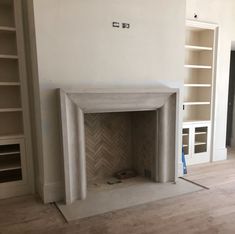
{"points": [[75, 104]]}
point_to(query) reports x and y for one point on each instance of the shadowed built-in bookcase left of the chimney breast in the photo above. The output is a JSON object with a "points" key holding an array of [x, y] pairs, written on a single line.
{"points": [[16, 171]]}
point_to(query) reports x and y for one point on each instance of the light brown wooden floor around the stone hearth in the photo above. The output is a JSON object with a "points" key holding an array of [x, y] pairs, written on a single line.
{"points": [[208, 211]]}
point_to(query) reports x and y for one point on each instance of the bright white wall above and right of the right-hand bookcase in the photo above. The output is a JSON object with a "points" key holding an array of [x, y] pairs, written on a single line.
{"points": [[222, 13]]}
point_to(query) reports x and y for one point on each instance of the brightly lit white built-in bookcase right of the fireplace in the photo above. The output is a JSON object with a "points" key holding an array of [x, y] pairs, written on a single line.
{"points": [[200, 52]]}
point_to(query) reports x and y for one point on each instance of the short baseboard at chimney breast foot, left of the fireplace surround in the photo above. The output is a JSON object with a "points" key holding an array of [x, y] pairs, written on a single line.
{"points": [[53, 192]]}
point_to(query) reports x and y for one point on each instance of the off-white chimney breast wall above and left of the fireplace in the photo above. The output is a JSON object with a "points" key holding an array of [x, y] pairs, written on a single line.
{"points": [[77, 47]]}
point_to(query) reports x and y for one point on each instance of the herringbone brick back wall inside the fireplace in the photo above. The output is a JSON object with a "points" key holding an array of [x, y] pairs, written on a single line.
{"points": [[108, 144]]}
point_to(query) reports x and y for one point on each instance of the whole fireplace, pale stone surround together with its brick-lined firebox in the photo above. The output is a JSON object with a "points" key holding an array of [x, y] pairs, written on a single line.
{"points": [[107, 131]]}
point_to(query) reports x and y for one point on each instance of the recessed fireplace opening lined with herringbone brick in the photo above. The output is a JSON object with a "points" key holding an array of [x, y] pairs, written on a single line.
{"points": [[120, 147]]}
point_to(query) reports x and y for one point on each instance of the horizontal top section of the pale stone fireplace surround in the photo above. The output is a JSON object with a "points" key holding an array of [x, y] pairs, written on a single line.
{"points": [[118, 100]]}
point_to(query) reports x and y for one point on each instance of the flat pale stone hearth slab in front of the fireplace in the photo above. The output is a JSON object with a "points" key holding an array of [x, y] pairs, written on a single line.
{"points": [[110, 200]]}
